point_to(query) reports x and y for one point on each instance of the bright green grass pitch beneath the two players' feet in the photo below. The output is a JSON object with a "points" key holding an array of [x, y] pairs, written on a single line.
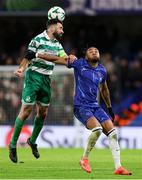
{"points": [[64, 164]]}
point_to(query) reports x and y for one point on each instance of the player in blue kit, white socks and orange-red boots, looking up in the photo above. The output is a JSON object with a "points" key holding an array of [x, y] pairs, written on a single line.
{"points": [[90, 77]]}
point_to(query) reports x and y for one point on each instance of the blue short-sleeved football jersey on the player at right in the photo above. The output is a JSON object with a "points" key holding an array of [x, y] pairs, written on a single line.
{"points": [[87, 81]]}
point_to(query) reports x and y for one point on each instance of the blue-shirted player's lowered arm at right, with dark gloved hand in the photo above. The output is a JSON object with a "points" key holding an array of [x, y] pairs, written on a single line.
{"points": [[106, 97]]}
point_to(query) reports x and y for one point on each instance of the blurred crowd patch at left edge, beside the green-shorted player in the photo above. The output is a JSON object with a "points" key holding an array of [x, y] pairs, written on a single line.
{"points": [[9, 96]]}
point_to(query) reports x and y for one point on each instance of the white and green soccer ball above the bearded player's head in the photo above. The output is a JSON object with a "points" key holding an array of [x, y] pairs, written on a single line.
{"points": [[56, 12]]}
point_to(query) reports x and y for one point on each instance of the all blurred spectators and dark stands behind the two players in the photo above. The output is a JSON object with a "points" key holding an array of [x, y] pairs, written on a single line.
{"points": [[121, 55]]}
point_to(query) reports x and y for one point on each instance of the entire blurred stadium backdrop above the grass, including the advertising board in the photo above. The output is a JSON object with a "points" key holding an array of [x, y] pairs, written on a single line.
{"points": [[112, 26]]}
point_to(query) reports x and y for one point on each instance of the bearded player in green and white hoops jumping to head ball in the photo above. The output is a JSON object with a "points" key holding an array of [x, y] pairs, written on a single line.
{"points": [[36, 89]]}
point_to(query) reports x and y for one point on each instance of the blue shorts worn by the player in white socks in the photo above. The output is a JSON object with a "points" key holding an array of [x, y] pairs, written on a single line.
{"points": [[84, 113]]}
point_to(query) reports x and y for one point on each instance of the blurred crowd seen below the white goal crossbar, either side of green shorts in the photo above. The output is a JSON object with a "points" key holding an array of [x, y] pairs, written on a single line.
{"points": [[60, 110]]}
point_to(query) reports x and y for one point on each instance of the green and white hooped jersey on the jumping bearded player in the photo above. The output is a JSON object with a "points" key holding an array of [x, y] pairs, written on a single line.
{"points": [[43, 44]]}
